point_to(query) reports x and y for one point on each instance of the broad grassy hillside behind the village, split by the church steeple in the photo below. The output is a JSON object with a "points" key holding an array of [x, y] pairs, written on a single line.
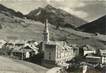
{"points": [[13, 28]]}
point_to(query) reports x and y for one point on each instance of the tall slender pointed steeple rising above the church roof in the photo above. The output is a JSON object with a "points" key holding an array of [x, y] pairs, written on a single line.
{"points": [[46, 32]]}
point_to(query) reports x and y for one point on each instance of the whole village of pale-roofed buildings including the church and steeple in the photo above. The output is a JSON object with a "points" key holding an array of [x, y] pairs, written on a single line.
{"points": [[55, 53]]}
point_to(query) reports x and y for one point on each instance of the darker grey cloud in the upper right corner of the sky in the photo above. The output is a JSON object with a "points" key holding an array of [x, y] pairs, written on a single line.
{"points": [[94, 9]]}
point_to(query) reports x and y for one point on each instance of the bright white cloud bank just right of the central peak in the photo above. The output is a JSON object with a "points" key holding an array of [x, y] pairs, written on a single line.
{"points": [[69, 5]]}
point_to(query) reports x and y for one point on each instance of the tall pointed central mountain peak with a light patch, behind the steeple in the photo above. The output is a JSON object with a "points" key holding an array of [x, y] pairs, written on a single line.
{"points": [[56, 17]]}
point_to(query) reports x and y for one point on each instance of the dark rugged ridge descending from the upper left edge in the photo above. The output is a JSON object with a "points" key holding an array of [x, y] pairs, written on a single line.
{"points": [[10, 12]]}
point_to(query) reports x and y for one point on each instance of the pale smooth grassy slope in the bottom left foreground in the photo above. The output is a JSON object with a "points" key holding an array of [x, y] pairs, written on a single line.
{"points": [[14, 66]]}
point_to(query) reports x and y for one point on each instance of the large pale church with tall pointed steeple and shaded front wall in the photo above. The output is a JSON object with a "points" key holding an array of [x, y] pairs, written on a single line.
{"points": [[55, 52]]}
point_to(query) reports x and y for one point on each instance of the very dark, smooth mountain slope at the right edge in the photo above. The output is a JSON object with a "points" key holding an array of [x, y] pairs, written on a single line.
{"points": [[97, 26]]}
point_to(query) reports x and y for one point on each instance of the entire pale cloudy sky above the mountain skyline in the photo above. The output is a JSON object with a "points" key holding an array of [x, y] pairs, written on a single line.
{"points": [[86, 9]]}
